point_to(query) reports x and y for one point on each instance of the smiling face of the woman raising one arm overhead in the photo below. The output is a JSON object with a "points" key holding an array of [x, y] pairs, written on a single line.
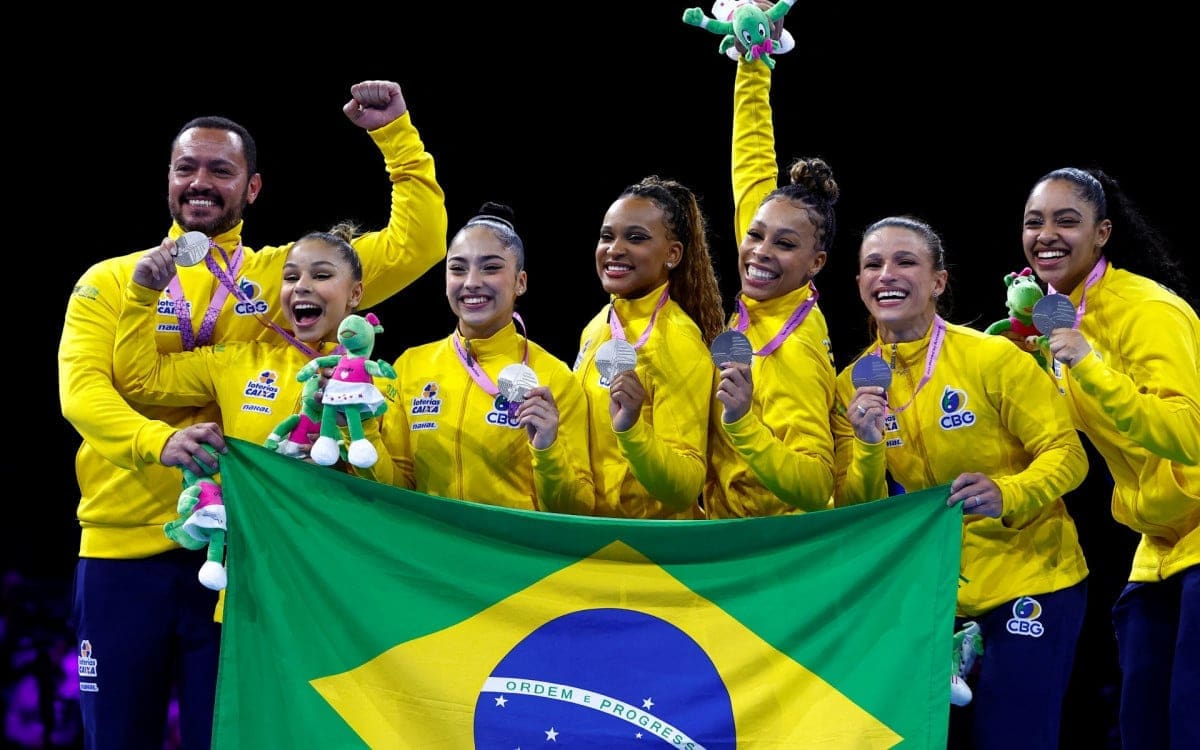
{"points": [[779, 251]]}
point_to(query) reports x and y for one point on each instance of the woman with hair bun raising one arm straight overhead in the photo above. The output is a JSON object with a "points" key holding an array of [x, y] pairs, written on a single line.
{"points": [[771, 448]]}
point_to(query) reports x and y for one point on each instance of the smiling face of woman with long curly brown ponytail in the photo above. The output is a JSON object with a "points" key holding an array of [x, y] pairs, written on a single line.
{"points": [[637, 251]]}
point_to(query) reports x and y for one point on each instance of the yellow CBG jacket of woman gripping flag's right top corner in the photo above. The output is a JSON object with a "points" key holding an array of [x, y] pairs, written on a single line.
{"points": [[987, 409]]}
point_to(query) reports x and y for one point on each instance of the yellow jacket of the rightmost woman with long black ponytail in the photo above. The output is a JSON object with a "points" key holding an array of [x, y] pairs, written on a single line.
{"points": [[1137, 398]]}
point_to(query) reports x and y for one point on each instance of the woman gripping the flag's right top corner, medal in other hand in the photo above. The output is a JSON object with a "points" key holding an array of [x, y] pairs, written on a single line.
{"points": [[971, 411]]}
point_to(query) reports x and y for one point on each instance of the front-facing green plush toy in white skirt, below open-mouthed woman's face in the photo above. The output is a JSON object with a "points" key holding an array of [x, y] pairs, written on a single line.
{"points": [[350, 393]]}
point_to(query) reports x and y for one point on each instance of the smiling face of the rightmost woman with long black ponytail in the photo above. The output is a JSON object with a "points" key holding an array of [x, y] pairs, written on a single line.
{"points": [[1061, 238]]}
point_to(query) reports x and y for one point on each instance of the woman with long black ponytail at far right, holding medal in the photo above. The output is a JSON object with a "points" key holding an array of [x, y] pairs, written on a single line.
{"points": [[1131, 370]]}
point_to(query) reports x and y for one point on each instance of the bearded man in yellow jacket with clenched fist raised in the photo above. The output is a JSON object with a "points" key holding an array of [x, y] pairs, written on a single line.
{"points": [[142, 619]]}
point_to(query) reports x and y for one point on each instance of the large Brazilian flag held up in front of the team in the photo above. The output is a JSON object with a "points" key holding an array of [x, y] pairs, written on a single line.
{"points": [[364, 616]]}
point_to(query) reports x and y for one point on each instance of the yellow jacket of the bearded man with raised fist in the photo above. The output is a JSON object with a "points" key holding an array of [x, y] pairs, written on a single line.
{"points": [[125, 496]]}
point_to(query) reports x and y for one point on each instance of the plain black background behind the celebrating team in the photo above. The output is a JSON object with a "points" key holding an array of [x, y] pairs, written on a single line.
{"points": [[555, 110]]}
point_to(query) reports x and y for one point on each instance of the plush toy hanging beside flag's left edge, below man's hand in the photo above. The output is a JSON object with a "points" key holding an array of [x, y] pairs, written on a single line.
{"points": [[202, 521]]}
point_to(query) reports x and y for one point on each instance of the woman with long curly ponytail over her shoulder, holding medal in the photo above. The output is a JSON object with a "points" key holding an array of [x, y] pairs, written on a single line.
{"points": [[644, 359]]}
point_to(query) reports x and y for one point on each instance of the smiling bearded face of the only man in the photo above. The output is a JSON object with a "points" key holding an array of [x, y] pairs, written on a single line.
{"points": [[208, 182]]}
